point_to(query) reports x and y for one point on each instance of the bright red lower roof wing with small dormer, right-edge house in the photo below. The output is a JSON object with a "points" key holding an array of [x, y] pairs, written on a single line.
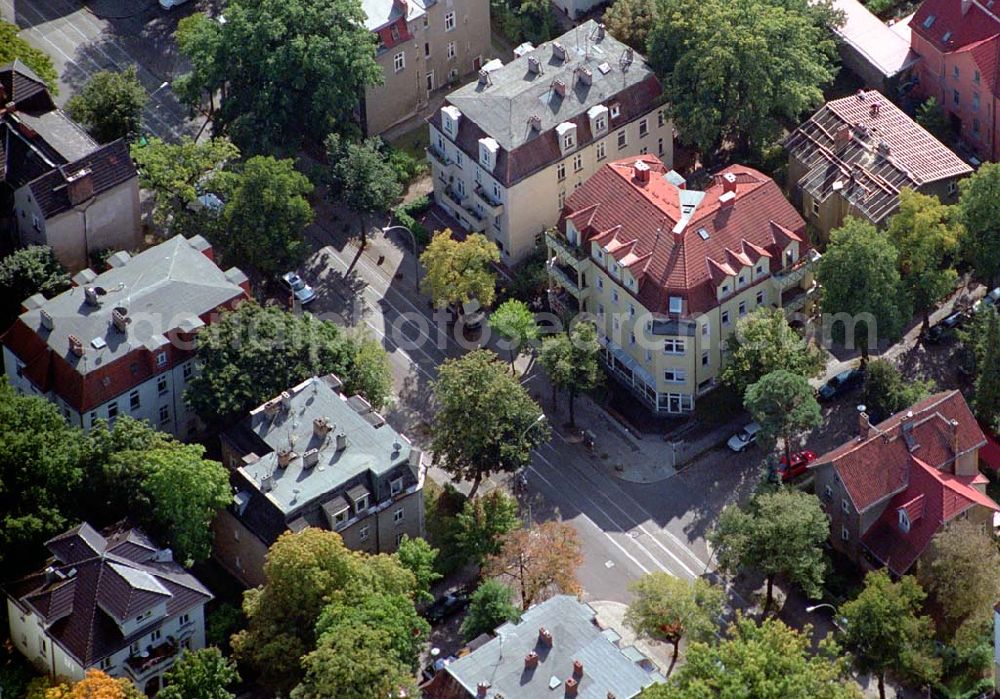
{"points": [[932, 499]]}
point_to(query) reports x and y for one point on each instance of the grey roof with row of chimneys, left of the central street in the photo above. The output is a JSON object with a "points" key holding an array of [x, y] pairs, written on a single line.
{"points": [[375, 455]]}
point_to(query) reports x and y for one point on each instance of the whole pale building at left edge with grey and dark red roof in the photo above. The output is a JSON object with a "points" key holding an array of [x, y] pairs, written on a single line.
{"points": [[123, 341]]}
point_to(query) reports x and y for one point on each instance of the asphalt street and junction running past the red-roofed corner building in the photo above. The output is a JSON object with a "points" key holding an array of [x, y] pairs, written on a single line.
{"points": [[626, 529]]}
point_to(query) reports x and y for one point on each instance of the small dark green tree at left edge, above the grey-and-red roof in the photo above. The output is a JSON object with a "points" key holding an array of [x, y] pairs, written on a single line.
{"points": [[26, 272]]}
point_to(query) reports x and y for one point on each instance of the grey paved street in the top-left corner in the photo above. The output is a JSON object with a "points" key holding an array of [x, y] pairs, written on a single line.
{"points": [[83, 39]]}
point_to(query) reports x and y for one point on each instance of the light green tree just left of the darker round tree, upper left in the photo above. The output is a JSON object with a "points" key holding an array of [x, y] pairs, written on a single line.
{"points": [[178, 173]]}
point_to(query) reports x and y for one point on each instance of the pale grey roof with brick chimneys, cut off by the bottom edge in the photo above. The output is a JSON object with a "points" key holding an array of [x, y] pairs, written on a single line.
{"points": [[575, 636]]}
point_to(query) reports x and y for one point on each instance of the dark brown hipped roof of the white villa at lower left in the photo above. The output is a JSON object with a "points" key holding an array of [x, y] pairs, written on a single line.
{"points": [[95, 582]]}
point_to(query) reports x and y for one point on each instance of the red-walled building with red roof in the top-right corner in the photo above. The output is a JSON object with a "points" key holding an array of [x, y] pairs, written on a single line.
{"points": [[959, 45]]}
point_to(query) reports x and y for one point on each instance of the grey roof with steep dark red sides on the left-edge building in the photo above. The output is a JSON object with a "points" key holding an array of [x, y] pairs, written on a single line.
{"points": [[165, 288]]}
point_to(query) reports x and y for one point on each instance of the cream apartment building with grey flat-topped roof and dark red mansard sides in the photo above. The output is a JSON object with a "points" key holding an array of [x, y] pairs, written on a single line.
{"points": [[508, 150]]}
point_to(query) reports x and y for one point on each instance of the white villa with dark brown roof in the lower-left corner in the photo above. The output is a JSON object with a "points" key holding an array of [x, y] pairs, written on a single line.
{"points": [[114, 602]]}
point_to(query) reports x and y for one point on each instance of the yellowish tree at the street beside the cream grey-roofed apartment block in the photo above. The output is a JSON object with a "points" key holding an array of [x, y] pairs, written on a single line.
{"points": [[459, 270]]}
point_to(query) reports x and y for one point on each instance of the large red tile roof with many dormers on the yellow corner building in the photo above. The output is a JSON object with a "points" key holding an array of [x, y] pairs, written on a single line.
{"points": [[635, 223]]}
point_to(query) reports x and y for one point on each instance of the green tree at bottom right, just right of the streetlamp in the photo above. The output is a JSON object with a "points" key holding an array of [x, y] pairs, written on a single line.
{"points": [[885, 633]]}
